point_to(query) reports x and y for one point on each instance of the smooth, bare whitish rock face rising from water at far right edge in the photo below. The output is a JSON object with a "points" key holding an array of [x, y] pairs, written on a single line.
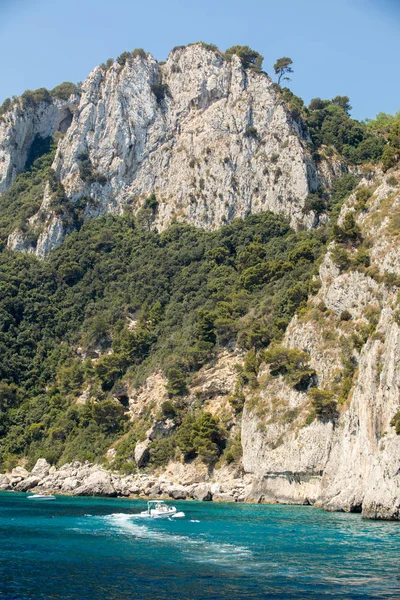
{"points": [[364, 467]]}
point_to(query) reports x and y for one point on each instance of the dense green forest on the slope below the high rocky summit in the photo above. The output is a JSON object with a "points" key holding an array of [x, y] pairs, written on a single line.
{"points": [[190, 292]]}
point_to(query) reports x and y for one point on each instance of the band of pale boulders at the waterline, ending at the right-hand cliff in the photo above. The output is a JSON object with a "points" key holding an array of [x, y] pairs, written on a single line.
{"points": [[87, 479]]}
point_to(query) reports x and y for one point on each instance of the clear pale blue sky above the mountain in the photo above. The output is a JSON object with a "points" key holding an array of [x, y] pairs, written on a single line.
{"points": [[346, 47]]}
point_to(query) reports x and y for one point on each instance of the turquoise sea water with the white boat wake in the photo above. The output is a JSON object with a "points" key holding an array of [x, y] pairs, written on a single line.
{"points": [[85, 548]]}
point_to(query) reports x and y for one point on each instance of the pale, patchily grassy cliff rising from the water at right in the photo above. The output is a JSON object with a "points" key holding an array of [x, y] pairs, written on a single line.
{"points": [[350, 462]]}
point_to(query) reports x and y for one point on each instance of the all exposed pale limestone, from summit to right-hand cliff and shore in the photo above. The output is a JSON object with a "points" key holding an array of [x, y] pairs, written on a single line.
{"points": [[201, 139]]}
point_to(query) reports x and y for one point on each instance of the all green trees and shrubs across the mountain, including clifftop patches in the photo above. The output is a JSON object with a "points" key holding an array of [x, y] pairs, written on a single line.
{"points": [[146, 301]]}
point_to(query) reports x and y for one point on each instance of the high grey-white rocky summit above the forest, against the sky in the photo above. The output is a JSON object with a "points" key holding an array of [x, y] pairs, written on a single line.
{"points": [[211, 140]]}
